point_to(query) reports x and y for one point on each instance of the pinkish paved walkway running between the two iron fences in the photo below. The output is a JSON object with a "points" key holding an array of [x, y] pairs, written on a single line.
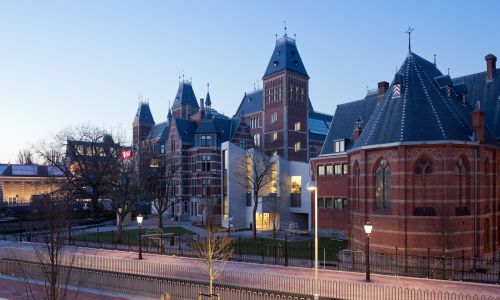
{"points": [[257, 271]]}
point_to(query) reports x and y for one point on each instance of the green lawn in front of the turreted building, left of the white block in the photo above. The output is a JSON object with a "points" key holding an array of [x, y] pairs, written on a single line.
{"points": [[128, 236]]}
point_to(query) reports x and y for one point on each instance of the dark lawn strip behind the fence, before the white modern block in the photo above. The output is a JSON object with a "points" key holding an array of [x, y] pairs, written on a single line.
{"points": [[298, 249]]}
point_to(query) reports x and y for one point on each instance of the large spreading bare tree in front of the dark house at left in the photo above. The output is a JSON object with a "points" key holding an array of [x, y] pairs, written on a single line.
{"points": [[87, 156]]}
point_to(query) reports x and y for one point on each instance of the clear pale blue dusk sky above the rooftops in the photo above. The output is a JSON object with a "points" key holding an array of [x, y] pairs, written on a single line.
{"points": [[65, 63]]}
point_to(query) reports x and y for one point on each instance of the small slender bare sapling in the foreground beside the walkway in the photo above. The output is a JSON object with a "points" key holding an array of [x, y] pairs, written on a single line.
{"points": [[214, 249]]}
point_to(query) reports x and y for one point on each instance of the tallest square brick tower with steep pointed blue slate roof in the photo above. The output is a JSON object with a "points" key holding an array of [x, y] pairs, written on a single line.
{"points": [[286, 103]]}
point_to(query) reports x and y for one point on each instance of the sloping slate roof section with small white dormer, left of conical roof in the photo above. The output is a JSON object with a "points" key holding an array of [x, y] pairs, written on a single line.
{"points": [[344, 121]]}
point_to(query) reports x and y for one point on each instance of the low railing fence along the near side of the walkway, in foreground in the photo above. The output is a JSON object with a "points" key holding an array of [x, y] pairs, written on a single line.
{"points": [[281, 287]]}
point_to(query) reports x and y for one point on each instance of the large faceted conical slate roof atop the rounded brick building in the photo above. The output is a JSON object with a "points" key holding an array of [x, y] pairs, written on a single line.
{"points": [[422, 112]]}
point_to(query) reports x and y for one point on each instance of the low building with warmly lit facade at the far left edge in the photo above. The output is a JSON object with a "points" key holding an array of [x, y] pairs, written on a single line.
{"points": [[19, 184]]}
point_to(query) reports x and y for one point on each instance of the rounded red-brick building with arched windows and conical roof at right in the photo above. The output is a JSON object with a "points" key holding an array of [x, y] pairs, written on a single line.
{"points": [[419, 159]]}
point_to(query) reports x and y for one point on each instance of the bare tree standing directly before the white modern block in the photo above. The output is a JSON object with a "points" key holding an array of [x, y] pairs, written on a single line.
{"points": [[259, 174]]}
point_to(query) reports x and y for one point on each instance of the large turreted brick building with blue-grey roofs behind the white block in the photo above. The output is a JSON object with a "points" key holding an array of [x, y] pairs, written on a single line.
{"points": [[279, 119]]}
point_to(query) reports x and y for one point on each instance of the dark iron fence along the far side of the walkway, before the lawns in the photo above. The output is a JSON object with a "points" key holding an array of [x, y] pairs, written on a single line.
{"points": [[284, 253]]}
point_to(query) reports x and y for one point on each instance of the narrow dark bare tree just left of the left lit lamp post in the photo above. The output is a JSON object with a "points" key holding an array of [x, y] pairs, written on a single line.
{"points": [[128, 190]]}
